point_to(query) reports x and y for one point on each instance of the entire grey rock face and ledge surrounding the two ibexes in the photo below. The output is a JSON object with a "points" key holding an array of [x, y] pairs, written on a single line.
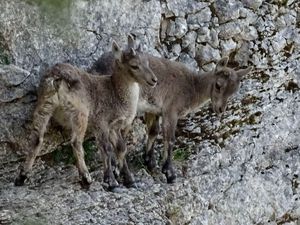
{"points": [[242, 168]]}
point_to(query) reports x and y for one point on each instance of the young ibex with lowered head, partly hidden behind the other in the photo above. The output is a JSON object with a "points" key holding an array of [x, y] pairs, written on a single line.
{"points": [[178, 92]]}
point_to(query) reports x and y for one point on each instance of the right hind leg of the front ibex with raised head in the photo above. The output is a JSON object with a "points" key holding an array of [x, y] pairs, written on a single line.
{"points": [[79, 126]]}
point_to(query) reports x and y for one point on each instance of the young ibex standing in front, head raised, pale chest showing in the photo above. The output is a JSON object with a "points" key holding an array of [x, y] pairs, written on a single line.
{"points": [[106, 105]]}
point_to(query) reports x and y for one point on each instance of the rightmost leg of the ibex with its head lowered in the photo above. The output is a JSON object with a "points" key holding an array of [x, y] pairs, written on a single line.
{"points": [[169, 123]]}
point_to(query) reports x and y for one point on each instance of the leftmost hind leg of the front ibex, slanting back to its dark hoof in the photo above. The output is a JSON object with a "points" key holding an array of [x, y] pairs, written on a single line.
{"points": [[41, 117]]}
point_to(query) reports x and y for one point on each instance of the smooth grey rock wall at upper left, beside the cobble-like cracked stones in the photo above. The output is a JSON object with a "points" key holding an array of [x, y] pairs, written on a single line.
{"points": [[37, 36]]}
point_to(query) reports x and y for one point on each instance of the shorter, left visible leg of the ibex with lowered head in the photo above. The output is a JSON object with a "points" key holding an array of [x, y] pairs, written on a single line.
{"points": [[152, 122]]}
